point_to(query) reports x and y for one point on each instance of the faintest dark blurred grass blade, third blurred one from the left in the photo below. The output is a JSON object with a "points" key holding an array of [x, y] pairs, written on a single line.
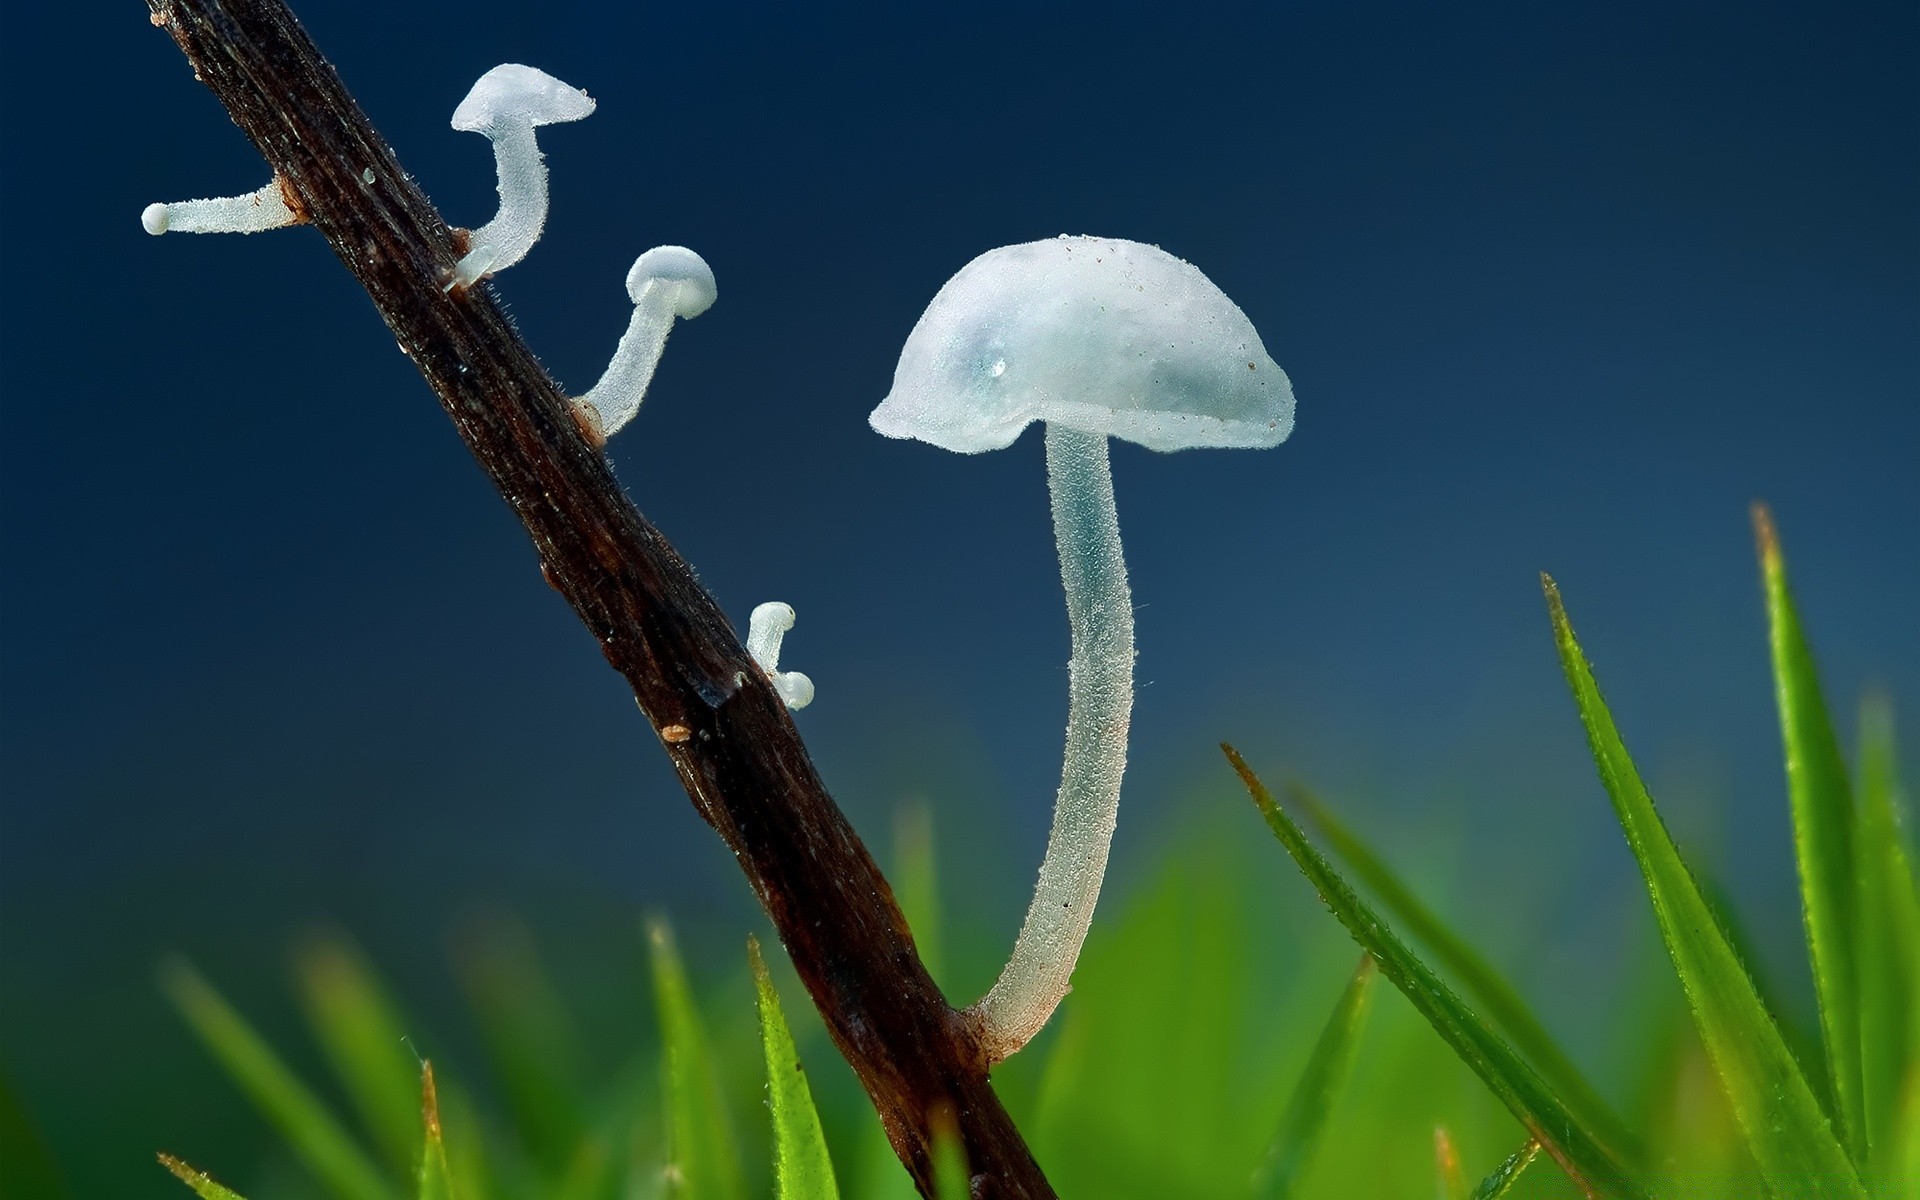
{"points": [[529, 1040]]}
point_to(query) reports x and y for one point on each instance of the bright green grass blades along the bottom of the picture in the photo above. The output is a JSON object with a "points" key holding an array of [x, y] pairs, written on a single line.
{"points": [[1216, 1044]]}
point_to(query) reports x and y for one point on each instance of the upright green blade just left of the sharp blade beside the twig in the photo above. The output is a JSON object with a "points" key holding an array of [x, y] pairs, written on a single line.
{"points": [[702, 1141]]}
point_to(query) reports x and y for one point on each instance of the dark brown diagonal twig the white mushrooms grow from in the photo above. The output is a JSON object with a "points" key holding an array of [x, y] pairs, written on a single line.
{"points": [[723, 727]]}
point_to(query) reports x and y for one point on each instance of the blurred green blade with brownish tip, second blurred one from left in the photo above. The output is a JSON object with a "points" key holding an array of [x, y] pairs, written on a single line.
{"points": [[364, 1040]]}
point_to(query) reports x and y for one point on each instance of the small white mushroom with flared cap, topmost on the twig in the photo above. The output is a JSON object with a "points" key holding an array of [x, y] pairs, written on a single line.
{"points": [[508, 105]]}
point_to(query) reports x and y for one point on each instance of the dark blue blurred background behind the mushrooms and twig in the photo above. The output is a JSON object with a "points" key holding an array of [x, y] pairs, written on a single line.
{"points": [[1560, 287]]}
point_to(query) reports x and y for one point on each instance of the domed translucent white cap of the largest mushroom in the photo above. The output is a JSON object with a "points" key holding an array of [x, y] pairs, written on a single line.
{"points": [[1099, 335]]}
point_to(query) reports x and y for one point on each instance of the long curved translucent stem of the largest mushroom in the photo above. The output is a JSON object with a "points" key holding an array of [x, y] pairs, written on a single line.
{"points": [[1101, 706]]}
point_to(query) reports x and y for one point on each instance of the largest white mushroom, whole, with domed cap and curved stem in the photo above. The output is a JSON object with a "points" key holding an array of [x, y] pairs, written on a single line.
{"points": [[1099, 339]]}
